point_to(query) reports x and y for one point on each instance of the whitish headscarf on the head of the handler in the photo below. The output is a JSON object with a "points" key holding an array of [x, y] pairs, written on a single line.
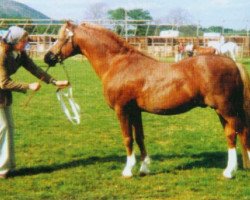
{"points": [[14, 34]]}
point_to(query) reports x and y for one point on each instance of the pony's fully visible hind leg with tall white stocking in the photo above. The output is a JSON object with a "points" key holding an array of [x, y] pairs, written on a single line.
{"points": [[230, 127]]}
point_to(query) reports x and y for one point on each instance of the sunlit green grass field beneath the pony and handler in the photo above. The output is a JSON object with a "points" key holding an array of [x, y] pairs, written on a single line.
{"points": [[58, 160]]}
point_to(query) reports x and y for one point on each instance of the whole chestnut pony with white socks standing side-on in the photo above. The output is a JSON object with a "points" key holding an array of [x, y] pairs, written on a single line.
{"points": [[134, 82]]}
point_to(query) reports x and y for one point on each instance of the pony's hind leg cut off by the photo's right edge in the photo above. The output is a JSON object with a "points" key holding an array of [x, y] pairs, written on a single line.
{"points": [[245, 142]]}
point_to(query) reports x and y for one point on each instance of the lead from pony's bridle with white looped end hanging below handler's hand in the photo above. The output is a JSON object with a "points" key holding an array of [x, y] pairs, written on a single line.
{"points": [[73, 112]]}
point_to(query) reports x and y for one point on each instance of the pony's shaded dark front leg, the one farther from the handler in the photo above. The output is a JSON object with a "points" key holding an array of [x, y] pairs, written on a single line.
{"points": [[139, 136]]}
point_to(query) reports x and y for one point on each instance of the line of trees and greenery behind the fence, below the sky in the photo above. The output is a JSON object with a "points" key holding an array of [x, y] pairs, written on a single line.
{"points": [[138, 22]]}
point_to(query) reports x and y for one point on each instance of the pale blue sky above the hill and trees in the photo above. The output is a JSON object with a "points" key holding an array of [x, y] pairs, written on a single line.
{"points": [[228, 13]]}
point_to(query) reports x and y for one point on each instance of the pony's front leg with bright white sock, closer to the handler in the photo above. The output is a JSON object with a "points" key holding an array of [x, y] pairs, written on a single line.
{"points": [[126, 128]]}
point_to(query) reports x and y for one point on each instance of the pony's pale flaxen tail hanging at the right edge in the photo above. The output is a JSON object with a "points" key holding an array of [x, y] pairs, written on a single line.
{"points": [[246, 92]]}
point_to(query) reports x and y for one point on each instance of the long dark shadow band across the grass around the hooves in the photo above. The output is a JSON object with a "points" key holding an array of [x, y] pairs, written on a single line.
{"points": [[202, 160]]}
